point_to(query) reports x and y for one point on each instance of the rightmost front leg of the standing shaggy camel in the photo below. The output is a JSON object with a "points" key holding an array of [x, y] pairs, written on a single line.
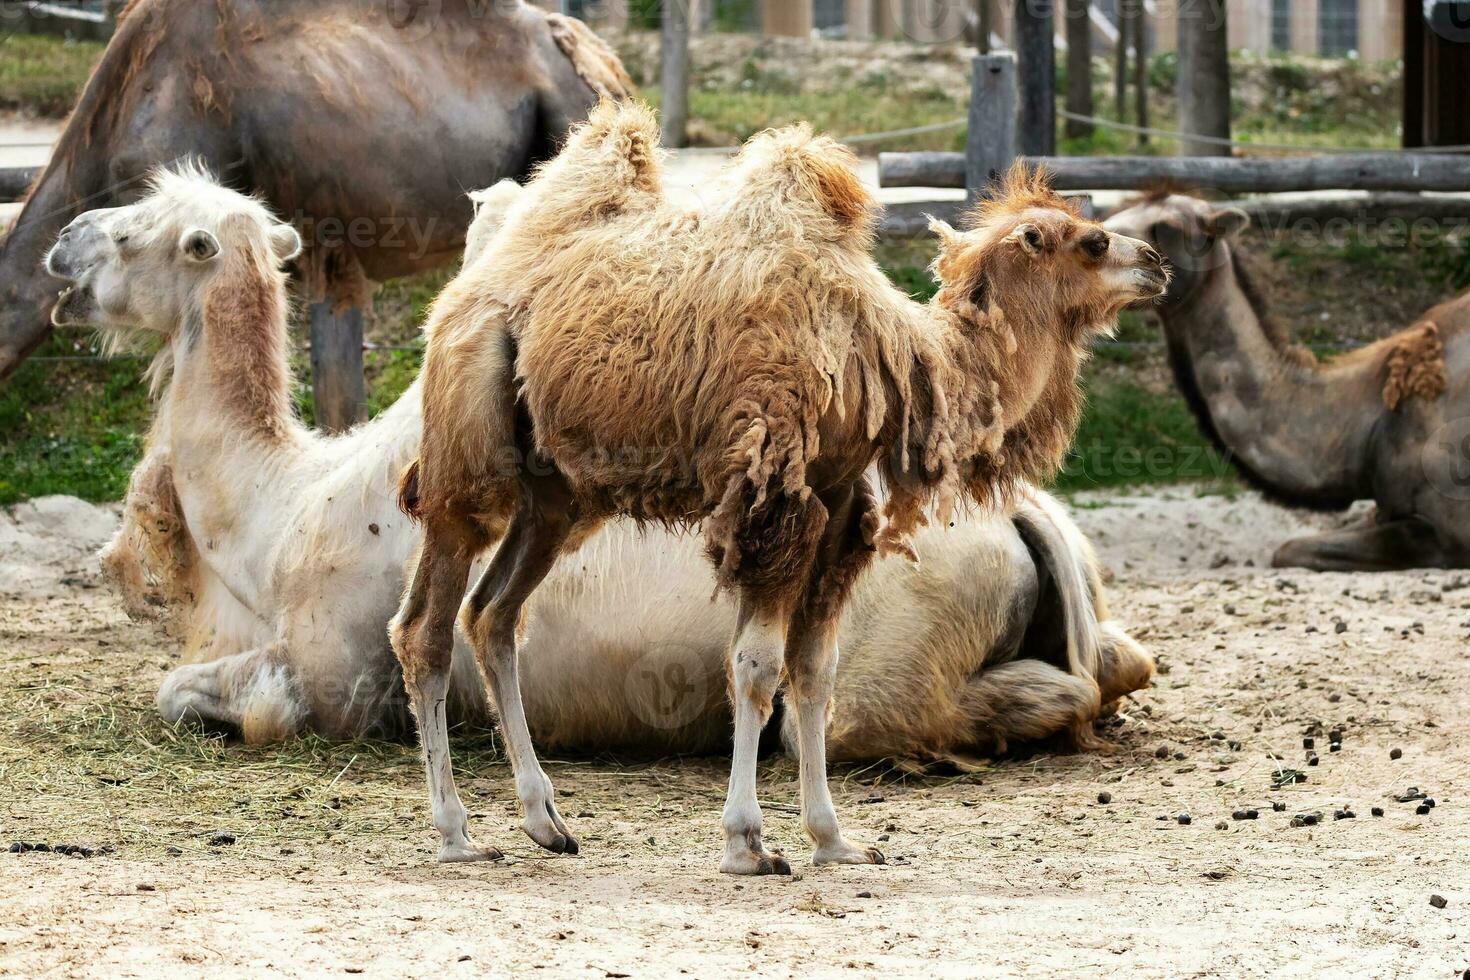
{"points": [[812, 655]]}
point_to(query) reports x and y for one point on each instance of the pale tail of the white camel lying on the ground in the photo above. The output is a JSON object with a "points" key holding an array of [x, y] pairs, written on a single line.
{"points": [[1066, 555]]}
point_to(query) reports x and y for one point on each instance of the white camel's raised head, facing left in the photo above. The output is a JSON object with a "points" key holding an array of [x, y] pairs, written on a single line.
{"points": [[149, 267]]}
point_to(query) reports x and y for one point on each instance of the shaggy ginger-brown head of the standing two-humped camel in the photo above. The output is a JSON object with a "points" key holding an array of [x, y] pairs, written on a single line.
{"points": [[1033, 259]]}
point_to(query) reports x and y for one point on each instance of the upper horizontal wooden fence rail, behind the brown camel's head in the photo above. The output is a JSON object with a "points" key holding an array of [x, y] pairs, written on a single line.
{"points": [[1349, 173]]}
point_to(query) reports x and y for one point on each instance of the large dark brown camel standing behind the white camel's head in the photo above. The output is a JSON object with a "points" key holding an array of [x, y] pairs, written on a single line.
{"points": [[362, 129]]}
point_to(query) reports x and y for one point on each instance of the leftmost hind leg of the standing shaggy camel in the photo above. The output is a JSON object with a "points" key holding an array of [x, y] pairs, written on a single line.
{"points": [[424, 638]]}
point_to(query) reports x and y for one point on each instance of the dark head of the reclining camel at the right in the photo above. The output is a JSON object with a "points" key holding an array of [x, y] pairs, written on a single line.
{"points": [[1194, 236]]}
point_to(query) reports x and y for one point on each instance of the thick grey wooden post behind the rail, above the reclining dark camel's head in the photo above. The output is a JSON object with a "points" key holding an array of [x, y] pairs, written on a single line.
{"points": [[1205, 77]]}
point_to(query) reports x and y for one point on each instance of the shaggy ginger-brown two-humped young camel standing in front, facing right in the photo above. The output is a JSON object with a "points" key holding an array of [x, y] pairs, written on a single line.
{"points": [[743, 365]]}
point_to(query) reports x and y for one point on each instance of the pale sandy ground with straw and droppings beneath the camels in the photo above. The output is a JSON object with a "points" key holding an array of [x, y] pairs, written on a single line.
{"points": [[1018, 871]]}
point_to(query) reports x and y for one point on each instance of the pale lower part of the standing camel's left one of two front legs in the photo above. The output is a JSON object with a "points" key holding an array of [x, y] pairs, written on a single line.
{"points": [[756, 662]]}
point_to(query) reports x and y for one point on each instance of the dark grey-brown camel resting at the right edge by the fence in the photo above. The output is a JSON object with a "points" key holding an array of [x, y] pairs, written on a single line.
{"points": [[1388, 422]]}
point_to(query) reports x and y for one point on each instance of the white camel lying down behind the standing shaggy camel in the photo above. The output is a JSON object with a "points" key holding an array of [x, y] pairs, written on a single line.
{"points": [[282, 555]]}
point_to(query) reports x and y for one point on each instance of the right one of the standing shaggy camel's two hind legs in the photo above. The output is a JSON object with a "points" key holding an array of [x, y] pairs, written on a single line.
{"points": [[490, 619]]}
